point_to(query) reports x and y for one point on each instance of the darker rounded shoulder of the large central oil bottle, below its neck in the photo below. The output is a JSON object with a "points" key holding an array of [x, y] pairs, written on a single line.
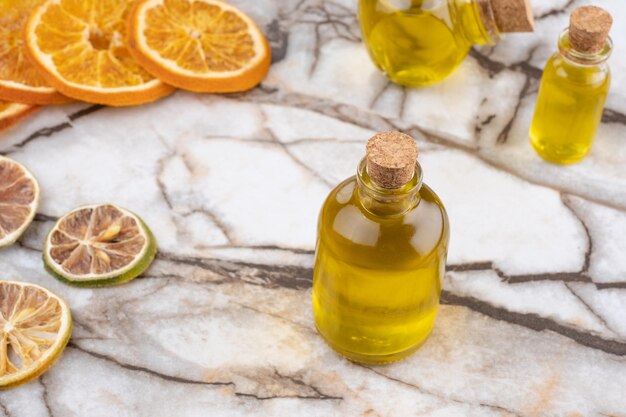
{"points": [[347, 226]]}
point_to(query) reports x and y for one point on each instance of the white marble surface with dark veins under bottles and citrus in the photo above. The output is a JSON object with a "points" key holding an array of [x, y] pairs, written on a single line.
{"points": [[533, 321]]}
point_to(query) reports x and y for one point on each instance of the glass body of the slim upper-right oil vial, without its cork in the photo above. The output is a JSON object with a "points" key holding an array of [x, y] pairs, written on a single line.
{"points": [[569, 105]]}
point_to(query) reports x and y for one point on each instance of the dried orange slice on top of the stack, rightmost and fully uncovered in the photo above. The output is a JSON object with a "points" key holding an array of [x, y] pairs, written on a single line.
{"points": [[199, 45]]}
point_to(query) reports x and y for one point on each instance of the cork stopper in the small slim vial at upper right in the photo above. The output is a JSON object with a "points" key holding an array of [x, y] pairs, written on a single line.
{"points": [[589, 28]]}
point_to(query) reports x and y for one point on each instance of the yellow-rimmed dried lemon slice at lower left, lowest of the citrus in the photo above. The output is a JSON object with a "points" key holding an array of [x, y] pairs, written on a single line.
{"points": [[35, 326]]}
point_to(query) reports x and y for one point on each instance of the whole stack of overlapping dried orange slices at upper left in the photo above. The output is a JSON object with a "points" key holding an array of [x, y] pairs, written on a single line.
{"points": [[124, 52]]}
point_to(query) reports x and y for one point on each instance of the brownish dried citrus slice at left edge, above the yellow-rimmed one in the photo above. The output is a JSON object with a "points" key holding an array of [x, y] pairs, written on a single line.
{"points": [[19, 199]]}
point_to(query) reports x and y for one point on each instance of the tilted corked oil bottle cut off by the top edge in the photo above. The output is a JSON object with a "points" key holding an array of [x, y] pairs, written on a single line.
{"points": [[420, 42]]}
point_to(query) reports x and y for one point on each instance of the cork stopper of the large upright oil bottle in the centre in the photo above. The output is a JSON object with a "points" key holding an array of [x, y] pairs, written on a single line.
{"points": [[391, 159]]}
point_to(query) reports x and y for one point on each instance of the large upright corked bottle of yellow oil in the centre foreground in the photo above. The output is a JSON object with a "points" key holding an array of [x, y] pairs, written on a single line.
{"points": [[380, 256]]}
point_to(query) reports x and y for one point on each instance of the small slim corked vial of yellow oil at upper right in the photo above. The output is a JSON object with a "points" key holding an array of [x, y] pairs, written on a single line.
{"points": [[573, 89]]}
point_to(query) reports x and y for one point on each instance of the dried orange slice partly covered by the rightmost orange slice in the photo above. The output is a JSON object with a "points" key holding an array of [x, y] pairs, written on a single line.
{"points": [[80, 48]]}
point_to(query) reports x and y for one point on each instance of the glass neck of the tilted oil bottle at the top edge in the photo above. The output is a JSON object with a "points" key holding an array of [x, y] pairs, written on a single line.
{"points": [[478, 21]]}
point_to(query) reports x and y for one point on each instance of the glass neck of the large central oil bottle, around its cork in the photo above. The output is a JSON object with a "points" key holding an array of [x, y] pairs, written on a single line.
{"points": [[388, 202]]}
